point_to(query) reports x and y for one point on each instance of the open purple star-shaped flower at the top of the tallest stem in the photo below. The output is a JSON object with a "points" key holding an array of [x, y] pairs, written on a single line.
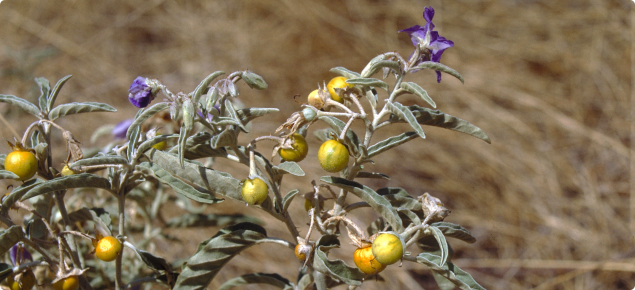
{"points": [[428, 40]]}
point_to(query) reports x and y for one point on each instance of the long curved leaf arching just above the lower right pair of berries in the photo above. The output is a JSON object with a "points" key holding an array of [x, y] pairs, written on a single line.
{"points": [[376, 201]]}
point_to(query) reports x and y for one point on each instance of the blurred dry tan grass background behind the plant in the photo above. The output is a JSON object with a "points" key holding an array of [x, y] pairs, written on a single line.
{"points": [[549, 81]]}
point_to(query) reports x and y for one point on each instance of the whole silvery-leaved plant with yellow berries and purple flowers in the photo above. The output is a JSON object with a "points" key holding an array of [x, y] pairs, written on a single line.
{"points": [[132, 175]]}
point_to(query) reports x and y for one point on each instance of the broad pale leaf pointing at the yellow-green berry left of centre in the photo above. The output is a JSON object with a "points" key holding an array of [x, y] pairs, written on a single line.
{"points": [[216, 182]]}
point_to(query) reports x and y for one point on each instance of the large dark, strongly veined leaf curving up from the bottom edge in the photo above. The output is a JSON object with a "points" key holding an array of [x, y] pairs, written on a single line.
{"points": [[217, 251]]}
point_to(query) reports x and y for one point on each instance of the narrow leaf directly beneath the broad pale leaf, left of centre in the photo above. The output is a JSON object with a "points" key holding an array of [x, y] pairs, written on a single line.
{"points": [[195, 193]]}
